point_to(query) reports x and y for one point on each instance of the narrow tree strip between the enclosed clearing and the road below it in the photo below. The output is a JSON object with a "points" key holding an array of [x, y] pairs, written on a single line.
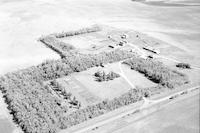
{"points": [[105, 106]]}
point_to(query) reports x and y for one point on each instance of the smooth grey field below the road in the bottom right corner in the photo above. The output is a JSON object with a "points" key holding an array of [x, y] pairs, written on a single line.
{"points": [[180, 117]]}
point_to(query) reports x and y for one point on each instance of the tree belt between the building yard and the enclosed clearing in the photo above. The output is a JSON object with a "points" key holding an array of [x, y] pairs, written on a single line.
{"points": [[79, 62]]}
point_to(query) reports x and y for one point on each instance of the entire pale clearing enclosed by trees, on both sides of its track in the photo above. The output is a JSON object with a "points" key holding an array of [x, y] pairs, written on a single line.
{"points": [[84, 85]]}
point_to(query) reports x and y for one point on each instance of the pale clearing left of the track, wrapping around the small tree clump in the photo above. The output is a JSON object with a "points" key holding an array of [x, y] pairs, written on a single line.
{"points": [[89, 91]]}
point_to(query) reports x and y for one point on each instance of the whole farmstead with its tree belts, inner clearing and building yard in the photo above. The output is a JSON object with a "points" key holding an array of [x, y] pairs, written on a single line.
{"points": [[84, 85]]}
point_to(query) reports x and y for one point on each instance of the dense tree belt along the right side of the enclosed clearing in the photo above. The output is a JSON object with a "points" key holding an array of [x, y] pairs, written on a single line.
{"points": [[157, 72]]}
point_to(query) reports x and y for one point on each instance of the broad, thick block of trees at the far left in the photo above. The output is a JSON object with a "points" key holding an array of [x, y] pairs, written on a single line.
{"points": [[33, 106]]}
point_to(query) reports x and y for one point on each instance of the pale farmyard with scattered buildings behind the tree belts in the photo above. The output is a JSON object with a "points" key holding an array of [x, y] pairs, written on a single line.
{"points": [[99, 38]]}
